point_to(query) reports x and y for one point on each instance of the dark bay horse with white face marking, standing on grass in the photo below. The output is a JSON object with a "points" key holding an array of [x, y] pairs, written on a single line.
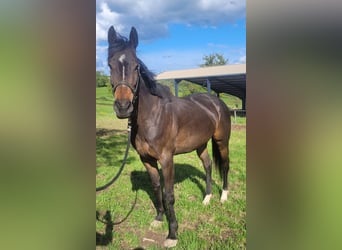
{"points": [[164, 125]]}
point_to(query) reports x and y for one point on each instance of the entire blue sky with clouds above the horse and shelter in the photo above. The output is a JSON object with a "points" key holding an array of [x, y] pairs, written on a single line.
{"points": [[171, 36]]}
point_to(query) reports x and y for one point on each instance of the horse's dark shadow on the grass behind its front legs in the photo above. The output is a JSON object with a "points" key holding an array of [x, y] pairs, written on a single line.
{"points": [[141, 180]]}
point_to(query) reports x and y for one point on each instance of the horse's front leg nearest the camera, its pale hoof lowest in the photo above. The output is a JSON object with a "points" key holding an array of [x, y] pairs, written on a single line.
{"points": [[169, 175]]}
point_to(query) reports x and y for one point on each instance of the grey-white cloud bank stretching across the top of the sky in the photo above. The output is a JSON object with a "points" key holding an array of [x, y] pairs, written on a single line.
{"points": [[151, 18]]}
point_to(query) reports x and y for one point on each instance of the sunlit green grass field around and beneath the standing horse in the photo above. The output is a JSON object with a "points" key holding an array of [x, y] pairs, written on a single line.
{"points": [[127, 206]]}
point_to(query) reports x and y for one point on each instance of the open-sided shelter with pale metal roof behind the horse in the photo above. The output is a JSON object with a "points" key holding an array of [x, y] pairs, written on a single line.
{"points": [[229, 79]]}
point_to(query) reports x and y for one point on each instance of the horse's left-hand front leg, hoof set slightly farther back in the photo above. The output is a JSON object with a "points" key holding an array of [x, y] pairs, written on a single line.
{"points": [[152, 169]]}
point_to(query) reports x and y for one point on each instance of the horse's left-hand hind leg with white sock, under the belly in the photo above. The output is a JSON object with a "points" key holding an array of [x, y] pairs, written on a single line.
{"points": [[202, 153]]}
